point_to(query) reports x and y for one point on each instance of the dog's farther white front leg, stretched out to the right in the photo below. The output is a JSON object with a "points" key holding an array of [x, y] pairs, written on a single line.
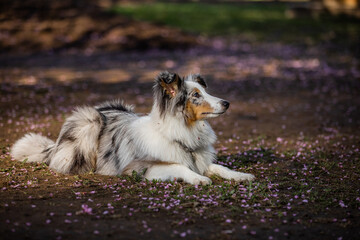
{"points": [[224, 172]]}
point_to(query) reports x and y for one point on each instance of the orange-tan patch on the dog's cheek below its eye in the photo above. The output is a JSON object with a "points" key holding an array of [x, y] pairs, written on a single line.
{"points": [[196, 112]]}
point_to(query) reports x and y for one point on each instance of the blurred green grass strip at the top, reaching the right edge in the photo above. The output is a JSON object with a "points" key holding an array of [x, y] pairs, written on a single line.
{"points": [[263, 21]]}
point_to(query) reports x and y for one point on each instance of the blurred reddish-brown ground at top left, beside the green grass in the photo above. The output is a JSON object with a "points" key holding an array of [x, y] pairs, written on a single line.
{"points": [[41, 26]]}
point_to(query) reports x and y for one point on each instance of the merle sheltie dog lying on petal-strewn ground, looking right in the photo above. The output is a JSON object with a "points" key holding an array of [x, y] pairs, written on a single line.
{"points": [[174, 141]]}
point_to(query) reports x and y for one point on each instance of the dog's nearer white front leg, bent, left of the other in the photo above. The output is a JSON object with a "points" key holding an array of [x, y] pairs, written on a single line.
{"points": [[175, 171]]}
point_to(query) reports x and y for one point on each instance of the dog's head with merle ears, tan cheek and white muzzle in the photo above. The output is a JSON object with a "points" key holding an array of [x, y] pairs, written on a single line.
{"points": [[186, 97]]}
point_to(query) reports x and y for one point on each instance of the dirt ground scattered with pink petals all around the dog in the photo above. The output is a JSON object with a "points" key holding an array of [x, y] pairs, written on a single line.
{"points": [[293, 123]]}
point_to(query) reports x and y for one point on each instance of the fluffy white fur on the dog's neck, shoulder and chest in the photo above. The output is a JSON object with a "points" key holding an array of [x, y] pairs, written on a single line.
{"points": [[156, 138]]}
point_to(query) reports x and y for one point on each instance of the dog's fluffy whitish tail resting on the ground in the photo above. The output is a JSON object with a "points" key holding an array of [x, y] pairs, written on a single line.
{"points": [[32, 148]]}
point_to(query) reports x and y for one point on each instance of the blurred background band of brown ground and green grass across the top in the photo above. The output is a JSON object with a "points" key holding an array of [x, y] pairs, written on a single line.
{"points": [[39, 26]]}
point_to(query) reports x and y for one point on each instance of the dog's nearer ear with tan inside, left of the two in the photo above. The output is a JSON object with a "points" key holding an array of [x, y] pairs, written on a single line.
{"points": [[170, 82]]}
